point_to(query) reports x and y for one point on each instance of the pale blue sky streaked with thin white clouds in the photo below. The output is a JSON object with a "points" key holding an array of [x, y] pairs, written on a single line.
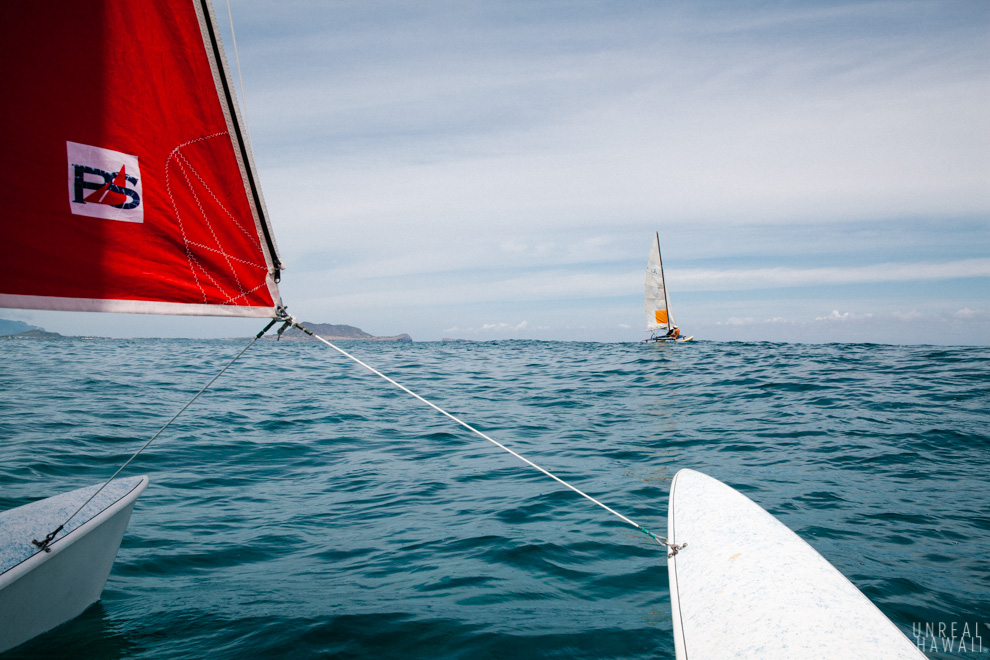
{"points": [[817, 171]]}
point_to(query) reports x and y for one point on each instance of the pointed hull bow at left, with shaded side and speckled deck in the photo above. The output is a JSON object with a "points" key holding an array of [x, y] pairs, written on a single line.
{"points": [[47, 589]]}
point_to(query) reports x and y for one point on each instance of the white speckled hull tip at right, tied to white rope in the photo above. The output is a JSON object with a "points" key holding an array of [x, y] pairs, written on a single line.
{"points": [[746, 586]]}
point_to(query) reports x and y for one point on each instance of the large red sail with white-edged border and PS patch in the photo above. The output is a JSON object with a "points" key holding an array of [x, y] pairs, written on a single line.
{"points": [[128, 185]]}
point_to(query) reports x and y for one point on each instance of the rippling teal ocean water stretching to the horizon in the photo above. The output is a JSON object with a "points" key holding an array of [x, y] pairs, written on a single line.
{"points": [[305, 508]]}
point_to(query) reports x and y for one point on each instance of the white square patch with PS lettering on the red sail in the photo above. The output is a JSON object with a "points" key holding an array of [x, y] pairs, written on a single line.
{"points": [[104, 183]]}
